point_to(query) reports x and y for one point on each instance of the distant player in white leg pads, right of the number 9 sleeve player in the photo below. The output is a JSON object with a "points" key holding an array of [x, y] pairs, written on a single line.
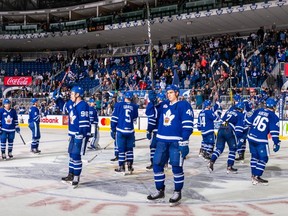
{"points": [[93, 116]]}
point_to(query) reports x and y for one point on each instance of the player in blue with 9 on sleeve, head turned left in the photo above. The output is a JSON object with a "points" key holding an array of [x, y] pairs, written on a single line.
{"points": [[79, 129]]}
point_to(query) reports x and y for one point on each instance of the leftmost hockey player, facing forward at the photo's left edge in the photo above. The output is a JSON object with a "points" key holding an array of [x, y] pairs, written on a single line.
{"points": [[8, 126]]}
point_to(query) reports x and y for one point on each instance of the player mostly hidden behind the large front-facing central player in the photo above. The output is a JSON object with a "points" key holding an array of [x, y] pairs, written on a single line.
{"points": [[152, 123]]}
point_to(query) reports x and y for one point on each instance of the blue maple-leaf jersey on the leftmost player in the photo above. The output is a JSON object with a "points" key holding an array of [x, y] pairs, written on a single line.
{"points": [[8, 120]]}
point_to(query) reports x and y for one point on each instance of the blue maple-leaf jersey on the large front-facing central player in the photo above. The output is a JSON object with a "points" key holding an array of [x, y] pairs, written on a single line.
{"points": [[175, 121]]}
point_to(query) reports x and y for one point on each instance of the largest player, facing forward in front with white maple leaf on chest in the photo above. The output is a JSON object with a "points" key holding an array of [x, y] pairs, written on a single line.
{"points": [[175, 125]]}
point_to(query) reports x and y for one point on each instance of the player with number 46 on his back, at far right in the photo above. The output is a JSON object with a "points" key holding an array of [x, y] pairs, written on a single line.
{"points": [[263, 121]]}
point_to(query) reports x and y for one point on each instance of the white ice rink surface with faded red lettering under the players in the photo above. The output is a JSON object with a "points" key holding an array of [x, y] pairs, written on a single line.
{"points": [[30, 184]]}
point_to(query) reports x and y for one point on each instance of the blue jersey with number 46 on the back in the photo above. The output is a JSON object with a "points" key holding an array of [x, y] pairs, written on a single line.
{"points": [[263, 122]]}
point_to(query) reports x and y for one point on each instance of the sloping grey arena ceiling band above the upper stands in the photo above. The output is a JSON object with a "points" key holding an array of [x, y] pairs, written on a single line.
{"points": [[213, 24]]}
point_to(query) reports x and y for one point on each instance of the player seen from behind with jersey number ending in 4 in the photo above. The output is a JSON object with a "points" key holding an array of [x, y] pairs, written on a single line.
{"points": [[205, 124]]}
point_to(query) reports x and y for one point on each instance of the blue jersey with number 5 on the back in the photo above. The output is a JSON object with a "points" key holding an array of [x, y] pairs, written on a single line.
{"points": [[123, 117]]}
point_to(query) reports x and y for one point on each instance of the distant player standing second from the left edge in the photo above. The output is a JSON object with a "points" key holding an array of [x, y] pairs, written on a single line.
{"points": [[33, 123]]}
